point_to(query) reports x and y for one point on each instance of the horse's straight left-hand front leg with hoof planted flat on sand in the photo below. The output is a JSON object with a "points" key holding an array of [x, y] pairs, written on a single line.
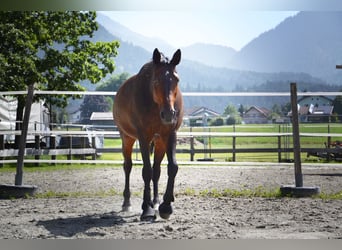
{"points": [[147, 206]]}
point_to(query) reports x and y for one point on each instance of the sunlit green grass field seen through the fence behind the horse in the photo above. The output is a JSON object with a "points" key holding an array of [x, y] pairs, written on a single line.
{"points": [[227, 142]]}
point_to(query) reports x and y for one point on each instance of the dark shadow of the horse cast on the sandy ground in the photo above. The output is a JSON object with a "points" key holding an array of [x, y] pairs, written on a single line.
{"points": [[68, 227]]}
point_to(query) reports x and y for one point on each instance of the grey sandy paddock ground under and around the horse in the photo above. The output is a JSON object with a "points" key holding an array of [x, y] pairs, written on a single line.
{"points": [[194, 217]]}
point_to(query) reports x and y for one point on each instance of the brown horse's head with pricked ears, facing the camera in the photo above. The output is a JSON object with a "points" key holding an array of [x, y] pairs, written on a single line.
{"points": [[165, 85]]}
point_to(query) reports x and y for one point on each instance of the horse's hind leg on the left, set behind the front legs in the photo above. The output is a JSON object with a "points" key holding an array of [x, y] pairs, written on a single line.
{"points": [[127, 147]]}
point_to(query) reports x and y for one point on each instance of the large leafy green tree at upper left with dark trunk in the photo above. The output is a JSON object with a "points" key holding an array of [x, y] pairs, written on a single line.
{"points": [[52, 50]]}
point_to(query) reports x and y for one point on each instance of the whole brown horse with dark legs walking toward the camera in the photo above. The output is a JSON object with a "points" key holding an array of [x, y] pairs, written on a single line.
{"points": [[149, 107]]}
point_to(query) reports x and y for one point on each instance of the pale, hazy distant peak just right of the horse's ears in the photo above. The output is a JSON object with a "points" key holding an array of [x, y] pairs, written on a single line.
{"points": [[209, 54]]}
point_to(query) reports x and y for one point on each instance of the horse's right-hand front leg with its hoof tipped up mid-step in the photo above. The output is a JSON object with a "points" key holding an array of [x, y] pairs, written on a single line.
{"points": [[165, 209]]}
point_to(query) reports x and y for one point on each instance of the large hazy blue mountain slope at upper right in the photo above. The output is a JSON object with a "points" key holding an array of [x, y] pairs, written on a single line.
{"points": [[309, 42]]}
